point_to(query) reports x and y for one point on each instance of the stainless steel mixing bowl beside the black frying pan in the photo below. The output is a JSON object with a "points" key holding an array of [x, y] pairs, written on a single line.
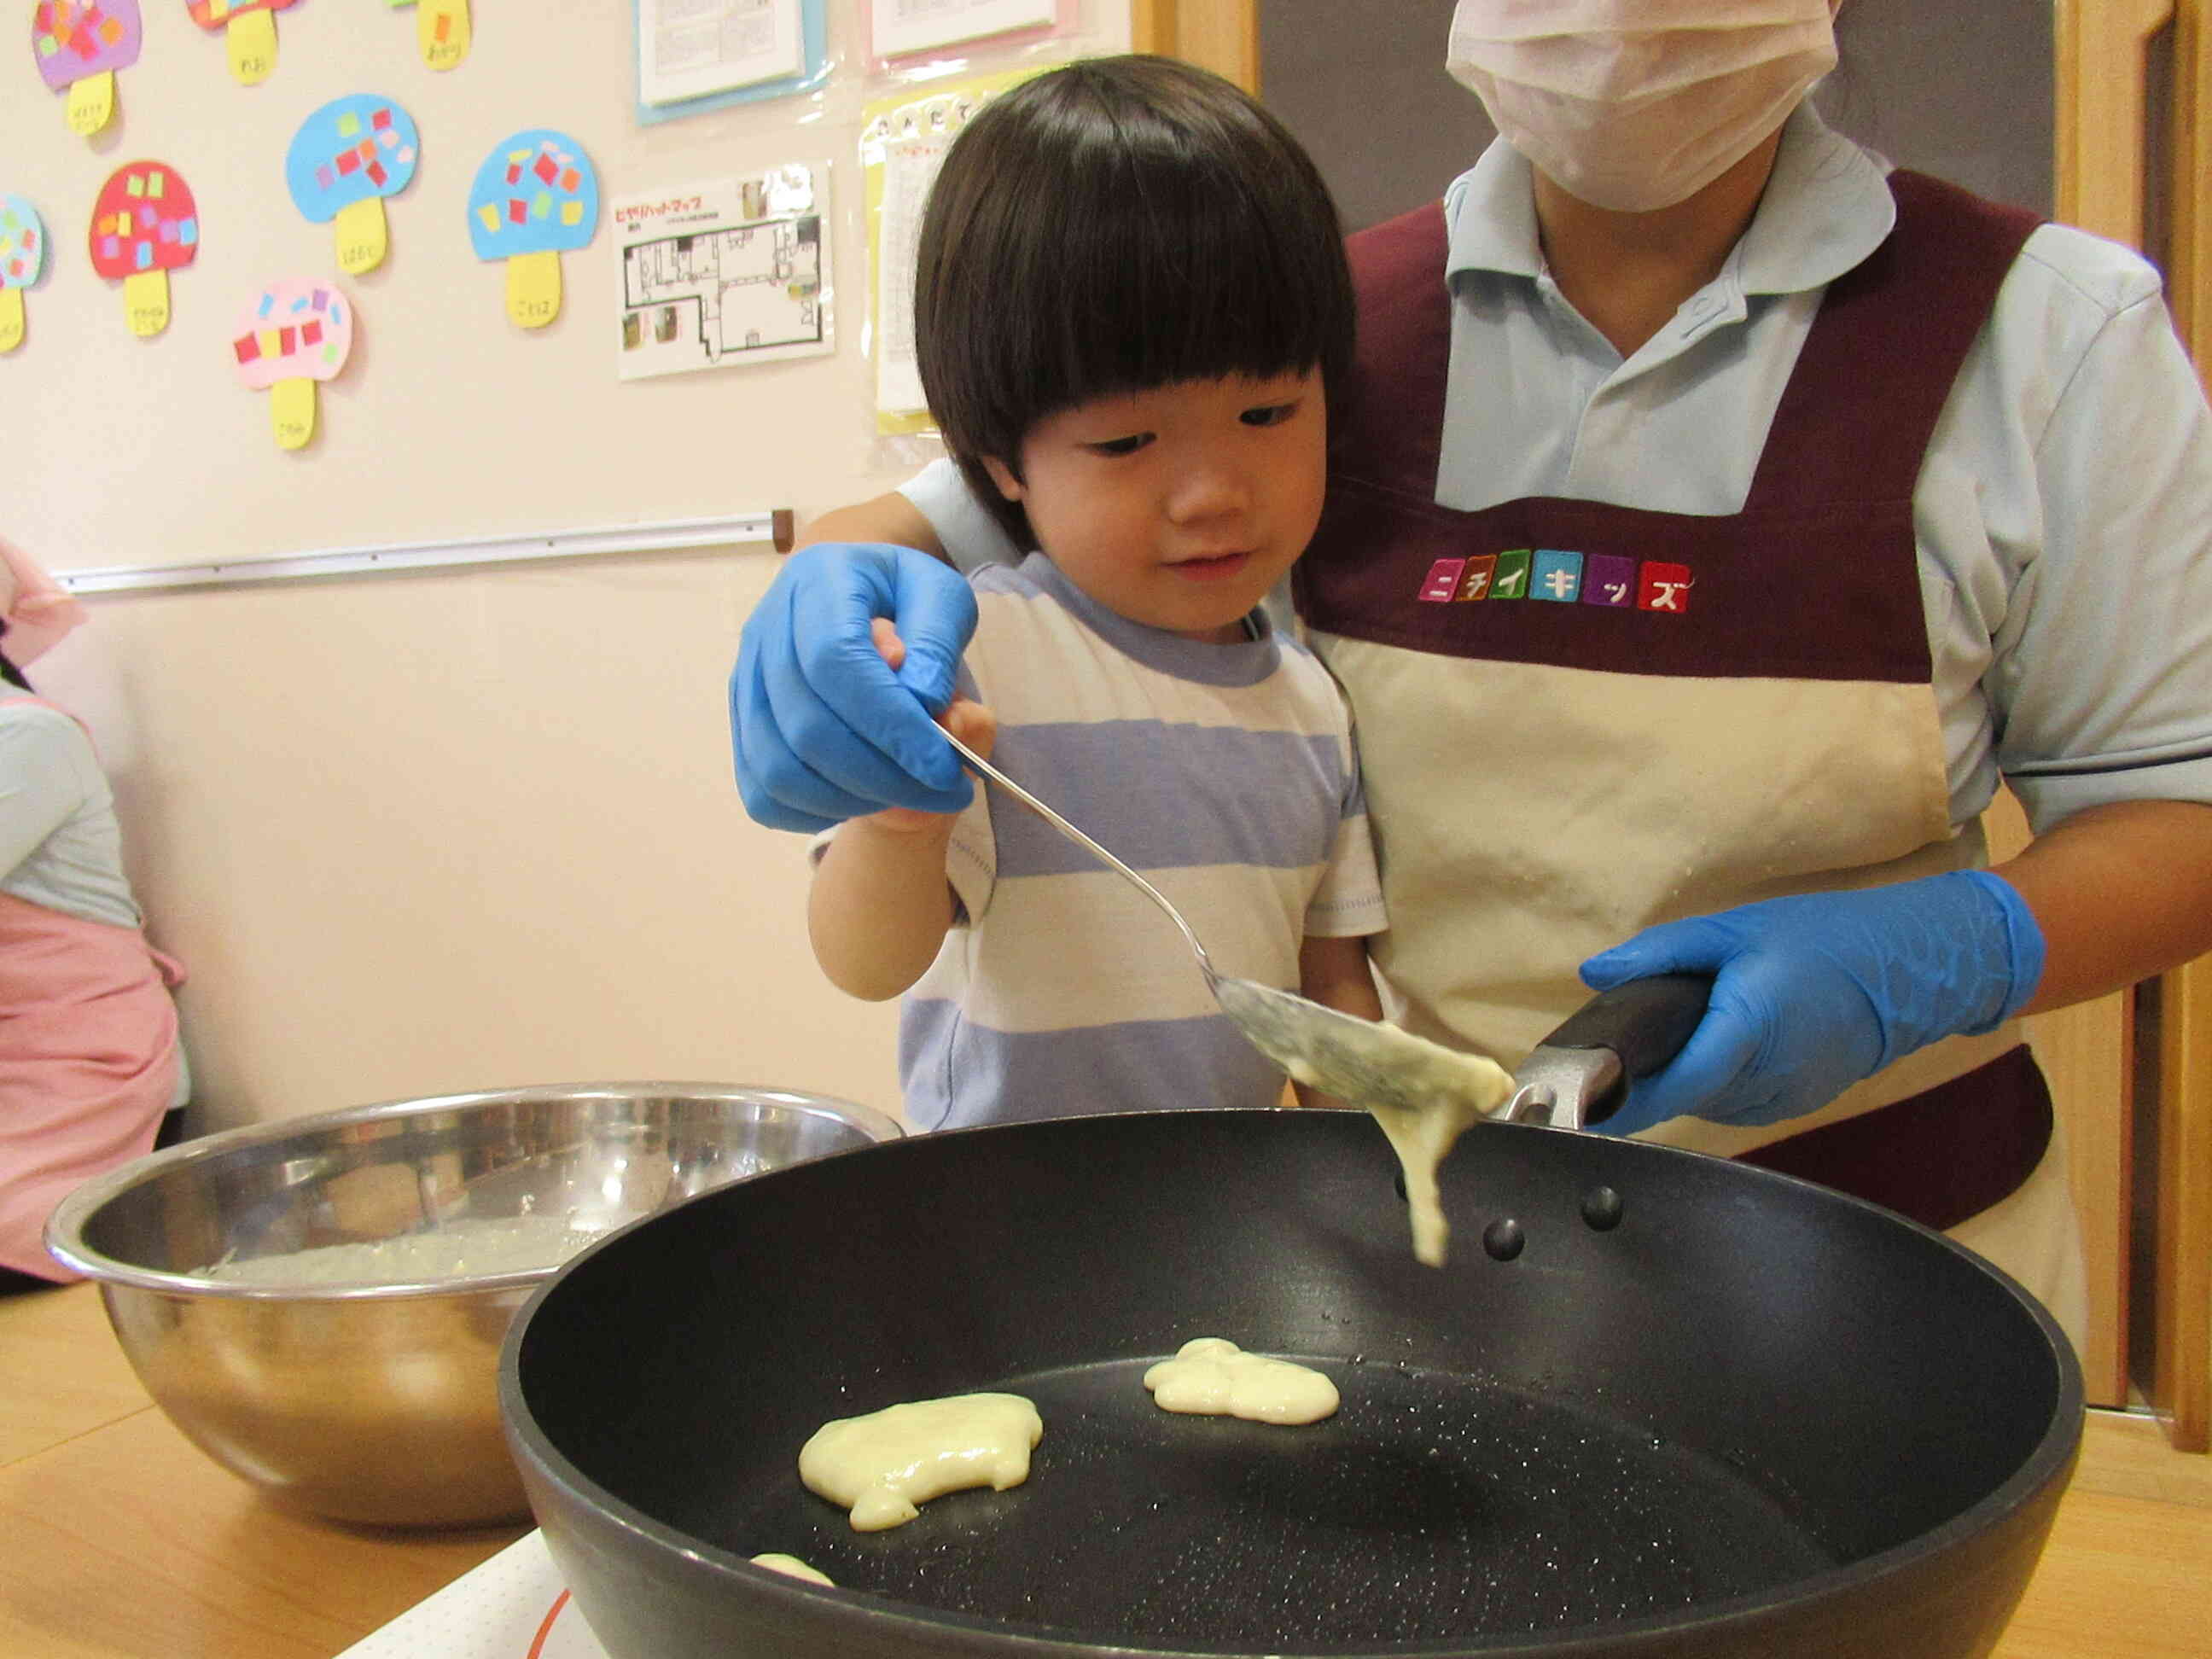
{"points": [[377, 1399]]}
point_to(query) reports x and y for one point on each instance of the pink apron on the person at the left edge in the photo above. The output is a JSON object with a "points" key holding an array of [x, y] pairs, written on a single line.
{"points": [[90, 1063]]}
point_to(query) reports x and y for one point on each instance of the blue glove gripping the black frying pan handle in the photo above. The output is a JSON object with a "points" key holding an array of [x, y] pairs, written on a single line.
{"points": [[1817, 992]]}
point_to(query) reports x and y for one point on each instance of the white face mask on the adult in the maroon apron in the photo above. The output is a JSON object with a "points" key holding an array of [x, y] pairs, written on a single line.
{"points": [[1638, 105]]}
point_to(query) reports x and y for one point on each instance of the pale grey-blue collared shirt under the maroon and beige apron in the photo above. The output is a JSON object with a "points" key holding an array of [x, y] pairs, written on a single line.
{"points": [[2063, 514]]}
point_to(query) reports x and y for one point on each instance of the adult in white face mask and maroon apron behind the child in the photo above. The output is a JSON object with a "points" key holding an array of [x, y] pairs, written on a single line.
{"points": [[1713, 521]]}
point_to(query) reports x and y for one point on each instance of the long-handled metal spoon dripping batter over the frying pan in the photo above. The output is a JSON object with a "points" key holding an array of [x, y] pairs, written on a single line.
{"points": [[1361, 1063]]}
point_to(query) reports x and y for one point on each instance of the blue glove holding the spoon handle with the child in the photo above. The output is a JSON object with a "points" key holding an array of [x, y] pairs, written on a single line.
{"points": [[822, 729]]}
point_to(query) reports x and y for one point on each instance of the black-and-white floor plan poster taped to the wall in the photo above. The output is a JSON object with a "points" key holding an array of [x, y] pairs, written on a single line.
{"points": [[727, 273]]}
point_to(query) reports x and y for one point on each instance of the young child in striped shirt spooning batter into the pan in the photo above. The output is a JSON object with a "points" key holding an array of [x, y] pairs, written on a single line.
{"points": [[1131, 304]]}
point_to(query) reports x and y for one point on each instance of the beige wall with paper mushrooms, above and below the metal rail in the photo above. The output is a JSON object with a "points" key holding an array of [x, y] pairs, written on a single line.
{"points": [[441, 831]]}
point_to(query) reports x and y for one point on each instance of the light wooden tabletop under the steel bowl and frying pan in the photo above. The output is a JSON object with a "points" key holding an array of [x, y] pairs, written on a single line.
{"points": [[121, 1541]]}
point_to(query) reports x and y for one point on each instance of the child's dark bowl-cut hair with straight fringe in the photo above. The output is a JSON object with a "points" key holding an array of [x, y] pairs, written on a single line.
{"points": [[1114, 227]]}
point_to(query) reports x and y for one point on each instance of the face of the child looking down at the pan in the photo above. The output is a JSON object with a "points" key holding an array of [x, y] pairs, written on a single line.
{"points": [[1185, 505]]}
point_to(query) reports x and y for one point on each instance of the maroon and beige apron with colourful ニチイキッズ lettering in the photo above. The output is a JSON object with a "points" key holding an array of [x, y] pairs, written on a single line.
{"points": [[1578, 720]]}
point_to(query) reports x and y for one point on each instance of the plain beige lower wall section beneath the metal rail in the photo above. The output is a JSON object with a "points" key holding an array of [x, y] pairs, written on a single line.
{"points": [[461, 831]]}
